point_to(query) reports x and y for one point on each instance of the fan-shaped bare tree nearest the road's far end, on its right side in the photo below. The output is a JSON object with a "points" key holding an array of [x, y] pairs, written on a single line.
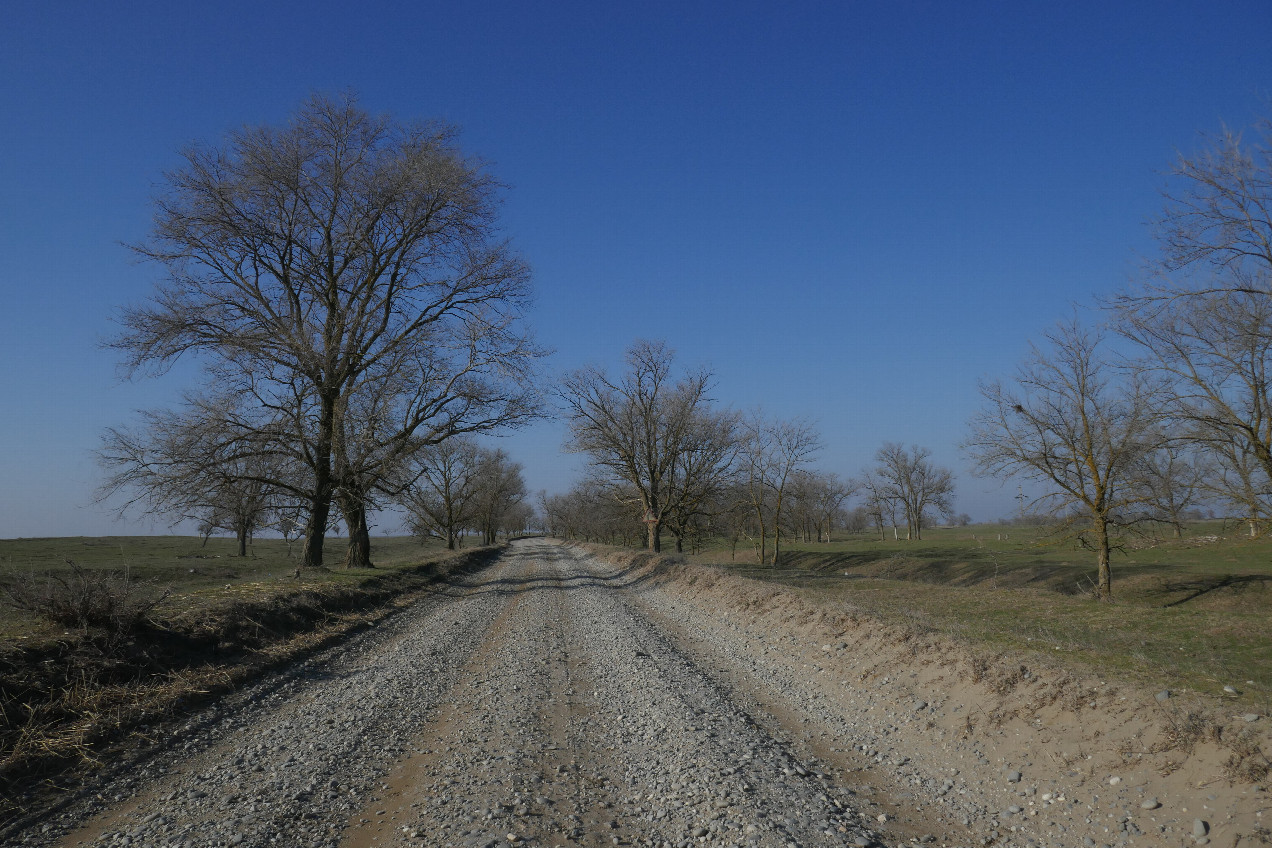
{"points": [[637, 429]]}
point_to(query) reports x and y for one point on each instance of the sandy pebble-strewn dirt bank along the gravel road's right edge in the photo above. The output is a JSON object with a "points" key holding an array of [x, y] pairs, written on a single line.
{"points": [[1016, 751]]}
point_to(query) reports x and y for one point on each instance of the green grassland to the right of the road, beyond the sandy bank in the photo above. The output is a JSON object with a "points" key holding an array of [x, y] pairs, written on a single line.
{"points": [[1191, 613]]}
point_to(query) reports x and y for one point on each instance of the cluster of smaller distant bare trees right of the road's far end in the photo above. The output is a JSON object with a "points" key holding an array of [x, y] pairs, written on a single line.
{"points": [[663, 458]]}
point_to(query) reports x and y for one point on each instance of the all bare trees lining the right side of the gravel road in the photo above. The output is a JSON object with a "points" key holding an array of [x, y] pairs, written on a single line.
{"points": [[1163, 409]]}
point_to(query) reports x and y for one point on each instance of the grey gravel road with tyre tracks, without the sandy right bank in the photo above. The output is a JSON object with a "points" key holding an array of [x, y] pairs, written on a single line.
{"points": [[534, 704]]}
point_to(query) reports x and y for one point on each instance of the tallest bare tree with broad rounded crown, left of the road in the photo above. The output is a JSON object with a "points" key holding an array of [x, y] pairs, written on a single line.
{"points": [[307, 261]]}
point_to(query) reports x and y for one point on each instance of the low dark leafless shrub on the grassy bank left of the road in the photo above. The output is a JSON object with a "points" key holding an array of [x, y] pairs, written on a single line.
{"points": [[85, 599]]}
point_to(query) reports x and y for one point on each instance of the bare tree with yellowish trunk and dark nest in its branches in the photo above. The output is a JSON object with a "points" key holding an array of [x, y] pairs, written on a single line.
{"points": [[1078, 428]]}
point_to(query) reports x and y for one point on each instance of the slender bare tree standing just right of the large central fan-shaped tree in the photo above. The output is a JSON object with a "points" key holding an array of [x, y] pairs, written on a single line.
{"points": [[771, 455]]}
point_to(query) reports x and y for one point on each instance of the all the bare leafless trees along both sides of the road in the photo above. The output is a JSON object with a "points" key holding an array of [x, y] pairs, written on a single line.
{"points": [[358, 318]]}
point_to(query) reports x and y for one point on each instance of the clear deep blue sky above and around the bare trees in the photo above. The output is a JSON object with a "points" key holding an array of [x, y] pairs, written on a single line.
{"points": [[852, 212]]}
